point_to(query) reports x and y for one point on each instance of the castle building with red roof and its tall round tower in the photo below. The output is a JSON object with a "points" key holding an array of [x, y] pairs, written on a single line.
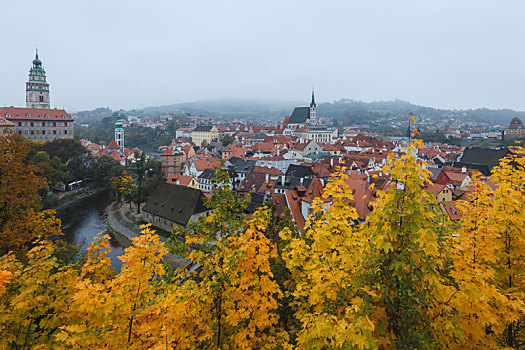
{"points": [[38, 121]]}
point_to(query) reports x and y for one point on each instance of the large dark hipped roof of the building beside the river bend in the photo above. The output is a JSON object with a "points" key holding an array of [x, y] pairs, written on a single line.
{"points": [[175, 203]]}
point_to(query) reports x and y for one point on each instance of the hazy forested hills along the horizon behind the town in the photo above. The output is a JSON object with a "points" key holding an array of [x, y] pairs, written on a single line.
{"points": [[342, 112]]}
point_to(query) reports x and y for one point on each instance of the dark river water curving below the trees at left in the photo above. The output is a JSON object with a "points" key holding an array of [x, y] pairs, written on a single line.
{"points": [[83, 219]]}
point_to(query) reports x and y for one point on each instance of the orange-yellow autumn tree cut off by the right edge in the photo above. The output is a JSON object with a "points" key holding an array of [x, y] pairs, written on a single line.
{"points": [[488, 251]]}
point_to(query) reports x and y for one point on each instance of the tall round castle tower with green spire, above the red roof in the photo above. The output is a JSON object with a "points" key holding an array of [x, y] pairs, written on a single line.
{"points": [[37, 89]]}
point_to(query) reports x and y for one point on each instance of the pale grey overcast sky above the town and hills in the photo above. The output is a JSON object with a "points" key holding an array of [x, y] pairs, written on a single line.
{"points": [[132, 54]]}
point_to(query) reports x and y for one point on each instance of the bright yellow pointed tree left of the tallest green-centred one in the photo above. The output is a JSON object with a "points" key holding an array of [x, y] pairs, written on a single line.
{"points": [[323, 262]]}
